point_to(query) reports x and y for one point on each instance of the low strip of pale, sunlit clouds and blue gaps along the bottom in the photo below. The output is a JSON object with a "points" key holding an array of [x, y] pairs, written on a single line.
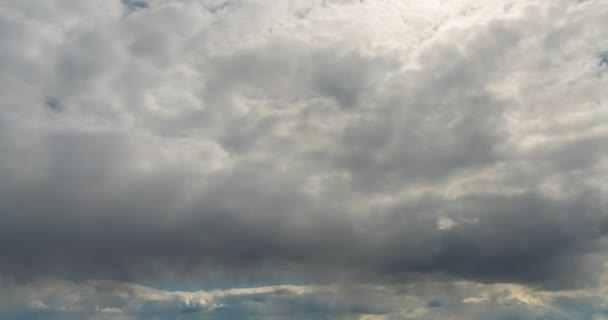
{"points": [[425, 300]]}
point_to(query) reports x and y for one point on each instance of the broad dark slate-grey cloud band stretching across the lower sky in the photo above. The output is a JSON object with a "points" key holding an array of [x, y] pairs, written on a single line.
{"points": [[243, 228]]}
